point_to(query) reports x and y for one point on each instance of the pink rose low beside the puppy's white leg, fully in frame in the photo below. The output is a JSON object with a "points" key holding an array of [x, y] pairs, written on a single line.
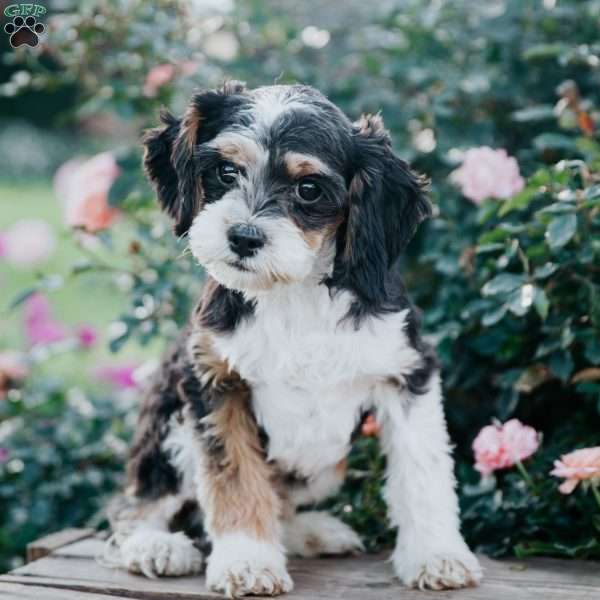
{"points": [[501, 446]]}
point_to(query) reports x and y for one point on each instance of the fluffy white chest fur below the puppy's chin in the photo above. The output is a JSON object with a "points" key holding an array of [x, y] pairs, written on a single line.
{"points": [[311, 373]]}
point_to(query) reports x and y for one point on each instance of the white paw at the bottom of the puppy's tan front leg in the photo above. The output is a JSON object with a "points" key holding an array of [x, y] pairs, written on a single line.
{"points": [[241, 566]]}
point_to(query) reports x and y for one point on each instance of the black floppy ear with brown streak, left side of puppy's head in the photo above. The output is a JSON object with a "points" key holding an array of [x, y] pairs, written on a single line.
{"points": [[169, 153]]}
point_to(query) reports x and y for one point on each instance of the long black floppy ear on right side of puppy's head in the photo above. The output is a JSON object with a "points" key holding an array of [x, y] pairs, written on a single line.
{"points": [[386, 204]]}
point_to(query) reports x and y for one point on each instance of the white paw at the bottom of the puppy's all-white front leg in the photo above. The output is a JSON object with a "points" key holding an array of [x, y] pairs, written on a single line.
{"points": [[437, 569]]}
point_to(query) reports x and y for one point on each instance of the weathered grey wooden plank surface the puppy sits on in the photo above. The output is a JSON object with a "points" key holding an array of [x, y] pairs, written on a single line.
{"points": [[71, 572]]}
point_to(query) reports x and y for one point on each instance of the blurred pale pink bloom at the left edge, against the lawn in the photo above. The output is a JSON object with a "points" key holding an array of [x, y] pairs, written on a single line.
{"points": [[27, 242]]}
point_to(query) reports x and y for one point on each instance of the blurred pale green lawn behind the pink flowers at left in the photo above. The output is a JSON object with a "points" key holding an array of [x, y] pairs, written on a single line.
{"points": [[89, 298]]}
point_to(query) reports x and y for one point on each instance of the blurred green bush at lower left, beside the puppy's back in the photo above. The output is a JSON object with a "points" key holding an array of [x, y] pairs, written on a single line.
{"points": [[64, 454]]}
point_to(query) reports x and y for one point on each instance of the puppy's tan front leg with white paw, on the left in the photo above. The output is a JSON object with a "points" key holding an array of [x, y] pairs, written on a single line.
{"points": [[240, 503]]}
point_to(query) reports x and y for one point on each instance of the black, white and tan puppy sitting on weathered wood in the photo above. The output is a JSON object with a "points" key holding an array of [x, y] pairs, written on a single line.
{"points": [[298, 216]]}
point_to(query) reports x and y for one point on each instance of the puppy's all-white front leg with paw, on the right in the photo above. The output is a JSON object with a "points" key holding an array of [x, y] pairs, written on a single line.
{"points": [[430, 551]]}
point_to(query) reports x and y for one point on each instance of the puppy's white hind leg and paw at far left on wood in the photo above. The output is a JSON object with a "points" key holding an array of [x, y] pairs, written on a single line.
{"points": [[143, 543]]}
